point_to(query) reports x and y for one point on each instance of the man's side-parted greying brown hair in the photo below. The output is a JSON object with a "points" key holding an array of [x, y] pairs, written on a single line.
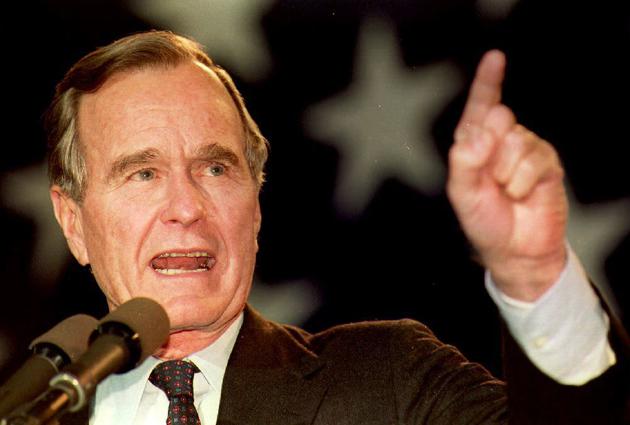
{"points": [[66, 162]]}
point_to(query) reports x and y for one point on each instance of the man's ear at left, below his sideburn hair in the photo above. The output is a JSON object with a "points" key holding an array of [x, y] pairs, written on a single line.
{"points": [[67, 213]]}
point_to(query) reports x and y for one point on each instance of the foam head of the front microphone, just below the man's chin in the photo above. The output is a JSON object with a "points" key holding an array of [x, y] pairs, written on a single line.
{"points": [[146, 319]]}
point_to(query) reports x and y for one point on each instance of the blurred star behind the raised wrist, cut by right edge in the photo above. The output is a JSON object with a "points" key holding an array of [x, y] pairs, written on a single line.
{"points": [[594, 231]]}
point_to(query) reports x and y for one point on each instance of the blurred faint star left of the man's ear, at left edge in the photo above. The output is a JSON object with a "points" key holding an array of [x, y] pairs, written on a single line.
{"points": [[26, 191]]}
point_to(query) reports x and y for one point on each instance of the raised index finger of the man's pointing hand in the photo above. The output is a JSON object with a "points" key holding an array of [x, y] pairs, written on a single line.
{"points": [[485, 91]]}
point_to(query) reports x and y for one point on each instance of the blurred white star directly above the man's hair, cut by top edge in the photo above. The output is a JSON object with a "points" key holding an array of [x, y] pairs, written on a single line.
{"points": [[231, 30]]}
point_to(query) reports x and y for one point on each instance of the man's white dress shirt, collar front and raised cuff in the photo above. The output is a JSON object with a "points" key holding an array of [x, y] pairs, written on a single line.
{"points": [[564, 333]]}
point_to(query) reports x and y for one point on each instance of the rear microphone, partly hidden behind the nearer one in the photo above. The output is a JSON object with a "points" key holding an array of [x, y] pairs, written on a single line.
{"points": [[51, 351]]}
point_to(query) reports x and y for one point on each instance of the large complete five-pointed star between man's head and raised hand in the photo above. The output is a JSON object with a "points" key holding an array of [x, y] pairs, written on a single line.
{"points": [[382, 123]]}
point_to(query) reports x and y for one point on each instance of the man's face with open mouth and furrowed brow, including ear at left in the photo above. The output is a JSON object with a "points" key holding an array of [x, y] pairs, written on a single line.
{"points": [[171, 210]]}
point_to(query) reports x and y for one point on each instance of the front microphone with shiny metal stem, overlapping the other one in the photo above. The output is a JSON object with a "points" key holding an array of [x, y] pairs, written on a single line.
{"points": [[121, 341]]}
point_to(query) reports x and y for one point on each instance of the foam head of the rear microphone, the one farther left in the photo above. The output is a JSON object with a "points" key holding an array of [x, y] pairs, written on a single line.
{"points": [[70, 335]]}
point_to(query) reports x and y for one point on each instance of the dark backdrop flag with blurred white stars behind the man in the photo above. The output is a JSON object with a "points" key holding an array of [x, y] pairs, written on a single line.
{"points": [[359, 101]]}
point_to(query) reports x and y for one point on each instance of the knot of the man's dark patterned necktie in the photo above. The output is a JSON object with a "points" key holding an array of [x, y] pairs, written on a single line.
{"points": [[174, 377]]}
